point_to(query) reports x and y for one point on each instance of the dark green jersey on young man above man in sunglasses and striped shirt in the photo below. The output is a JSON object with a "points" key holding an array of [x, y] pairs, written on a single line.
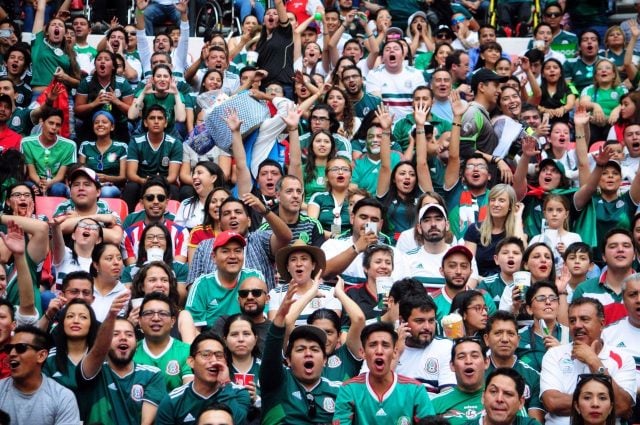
{"points": [[154, 161]]}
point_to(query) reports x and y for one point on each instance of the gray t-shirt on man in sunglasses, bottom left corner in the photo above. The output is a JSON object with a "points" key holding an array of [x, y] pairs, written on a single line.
{"points": [[51, 404]]}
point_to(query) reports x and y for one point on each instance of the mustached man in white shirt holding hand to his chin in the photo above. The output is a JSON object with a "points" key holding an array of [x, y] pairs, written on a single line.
{"points": [[562, 365]]}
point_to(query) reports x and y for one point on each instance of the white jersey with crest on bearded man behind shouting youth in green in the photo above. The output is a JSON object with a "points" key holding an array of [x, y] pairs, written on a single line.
{"points": [[429, 365]]}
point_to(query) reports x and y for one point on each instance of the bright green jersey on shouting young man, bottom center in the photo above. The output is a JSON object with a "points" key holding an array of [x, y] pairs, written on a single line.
{"points": [[405, 402]]}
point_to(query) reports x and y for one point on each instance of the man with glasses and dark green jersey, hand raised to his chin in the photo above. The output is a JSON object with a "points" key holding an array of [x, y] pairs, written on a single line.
{"points": [[210, 385]]}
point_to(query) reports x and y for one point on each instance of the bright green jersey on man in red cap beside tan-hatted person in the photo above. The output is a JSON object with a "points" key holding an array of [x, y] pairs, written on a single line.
{"points": [[208, 299]]}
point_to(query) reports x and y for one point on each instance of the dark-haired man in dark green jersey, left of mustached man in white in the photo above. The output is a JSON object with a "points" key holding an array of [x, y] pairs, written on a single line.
{"points": [[501, 337]]}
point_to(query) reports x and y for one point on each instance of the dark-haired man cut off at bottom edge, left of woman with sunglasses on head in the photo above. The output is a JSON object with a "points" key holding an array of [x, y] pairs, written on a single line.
{"points": [[503, 399]]}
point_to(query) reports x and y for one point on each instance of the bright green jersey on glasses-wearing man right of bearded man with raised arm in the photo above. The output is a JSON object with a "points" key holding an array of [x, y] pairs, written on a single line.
{"points": [[172, 362]]}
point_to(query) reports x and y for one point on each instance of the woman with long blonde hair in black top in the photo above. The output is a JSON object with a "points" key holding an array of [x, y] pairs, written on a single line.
{"points": [[504, 219]]}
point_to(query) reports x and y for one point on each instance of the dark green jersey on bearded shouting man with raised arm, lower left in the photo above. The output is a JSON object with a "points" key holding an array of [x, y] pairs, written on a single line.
{"points": [[111, 400]]}
